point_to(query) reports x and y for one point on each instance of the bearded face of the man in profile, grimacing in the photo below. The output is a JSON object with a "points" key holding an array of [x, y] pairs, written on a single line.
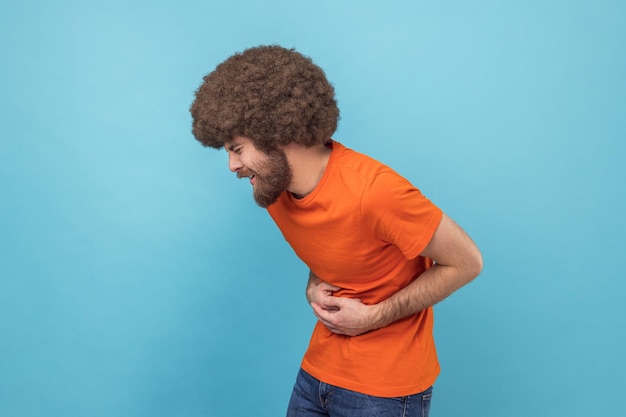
{"points": [[269, 173]]}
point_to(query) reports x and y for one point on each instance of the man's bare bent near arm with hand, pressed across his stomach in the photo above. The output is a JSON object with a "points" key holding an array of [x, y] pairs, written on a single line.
{"points": [[457, 262]]}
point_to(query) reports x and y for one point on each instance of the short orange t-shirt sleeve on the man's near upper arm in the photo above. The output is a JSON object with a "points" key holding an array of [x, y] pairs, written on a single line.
{"points": [[399, 213]]}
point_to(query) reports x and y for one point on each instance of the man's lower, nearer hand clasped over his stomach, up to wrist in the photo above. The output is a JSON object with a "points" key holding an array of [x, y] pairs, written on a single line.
{"points": [[346, 316]]}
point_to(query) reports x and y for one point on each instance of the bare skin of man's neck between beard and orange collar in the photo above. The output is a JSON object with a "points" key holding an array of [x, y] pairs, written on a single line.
{"points": [[307, 165]]}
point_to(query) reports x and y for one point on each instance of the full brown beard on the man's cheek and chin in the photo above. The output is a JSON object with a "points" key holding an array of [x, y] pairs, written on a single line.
{"points": [[271, 178]]}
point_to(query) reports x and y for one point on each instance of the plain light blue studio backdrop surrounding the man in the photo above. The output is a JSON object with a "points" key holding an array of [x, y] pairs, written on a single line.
{"points": [[138, 278]]}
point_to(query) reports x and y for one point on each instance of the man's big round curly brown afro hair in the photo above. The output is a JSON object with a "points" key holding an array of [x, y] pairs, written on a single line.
{"points": [[269, 94]]}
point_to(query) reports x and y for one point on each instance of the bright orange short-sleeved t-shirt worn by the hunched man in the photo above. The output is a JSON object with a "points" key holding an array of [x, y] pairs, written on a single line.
{"points": [[362, 229]]}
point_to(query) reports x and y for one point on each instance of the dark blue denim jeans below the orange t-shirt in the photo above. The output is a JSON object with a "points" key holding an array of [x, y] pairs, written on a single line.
{"points": [[313, 398]]}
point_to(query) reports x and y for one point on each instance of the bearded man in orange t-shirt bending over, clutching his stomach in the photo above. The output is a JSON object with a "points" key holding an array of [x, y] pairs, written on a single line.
{"points": [[380, 253]]}
